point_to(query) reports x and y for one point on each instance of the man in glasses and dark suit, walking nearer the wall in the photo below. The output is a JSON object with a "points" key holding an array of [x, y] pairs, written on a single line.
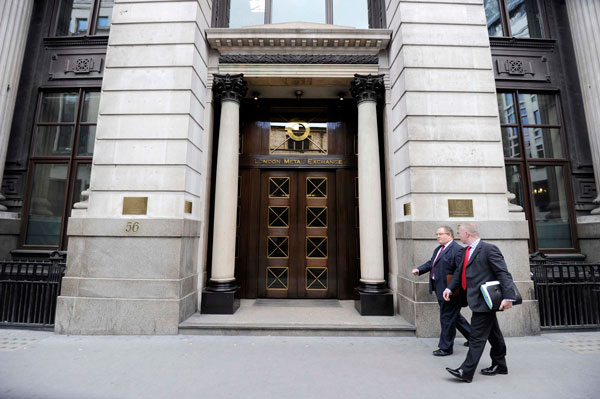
{"points": [[442, 263]]}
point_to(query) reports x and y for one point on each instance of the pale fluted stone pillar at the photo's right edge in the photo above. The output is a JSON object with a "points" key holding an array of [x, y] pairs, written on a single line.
{"points": [[584, 17]]}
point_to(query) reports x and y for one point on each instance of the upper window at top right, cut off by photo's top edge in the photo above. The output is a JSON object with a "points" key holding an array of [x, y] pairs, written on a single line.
{"points": [[513, 18]]}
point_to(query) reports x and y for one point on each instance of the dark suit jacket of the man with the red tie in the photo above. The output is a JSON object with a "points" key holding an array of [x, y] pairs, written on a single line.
{"points": [[486, 264]]}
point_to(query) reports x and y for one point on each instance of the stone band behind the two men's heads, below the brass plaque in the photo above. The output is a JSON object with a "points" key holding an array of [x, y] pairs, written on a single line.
{"points": [[489, 230]]}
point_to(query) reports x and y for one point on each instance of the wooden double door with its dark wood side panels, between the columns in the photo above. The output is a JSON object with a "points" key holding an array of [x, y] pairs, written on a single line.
{"points": [[297, 235]]}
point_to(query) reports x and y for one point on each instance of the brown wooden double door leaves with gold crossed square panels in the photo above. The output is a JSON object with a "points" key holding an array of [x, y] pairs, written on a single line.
{"points": [[296, 258]]}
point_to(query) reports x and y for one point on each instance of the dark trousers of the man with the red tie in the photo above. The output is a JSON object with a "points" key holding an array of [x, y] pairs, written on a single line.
{"points": [[484, 327]]}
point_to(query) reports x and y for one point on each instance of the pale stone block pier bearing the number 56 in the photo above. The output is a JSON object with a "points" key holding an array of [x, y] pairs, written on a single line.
{"points": [[153, 140]]}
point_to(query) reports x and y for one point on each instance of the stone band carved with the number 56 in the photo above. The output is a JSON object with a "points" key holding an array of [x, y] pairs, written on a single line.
{"points": [[93, 227]]}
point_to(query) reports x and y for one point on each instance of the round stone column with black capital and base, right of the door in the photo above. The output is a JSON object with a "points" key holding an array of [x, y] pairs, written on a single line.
{"points": [[374, 296]]}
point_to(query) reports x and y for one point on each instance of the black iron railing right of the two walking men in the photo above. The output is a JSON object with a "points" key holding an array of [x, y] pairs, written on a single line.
{"points": [[568, 293]]}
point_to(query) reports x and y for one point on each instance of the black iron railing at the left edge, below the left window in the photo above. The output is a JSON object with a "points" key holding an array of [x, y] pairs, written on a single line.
{"points": [[29, 289]]}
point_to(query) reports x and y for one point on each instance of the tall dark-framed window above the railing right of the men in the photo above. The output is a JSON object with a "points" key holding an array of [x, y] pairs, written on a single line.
{"points": [[536, 166]]}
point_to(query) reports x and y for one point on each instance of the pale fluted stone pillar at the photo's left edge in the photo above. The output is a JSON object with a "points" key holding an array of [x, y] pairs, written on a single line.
{"points": [[14, 25]]}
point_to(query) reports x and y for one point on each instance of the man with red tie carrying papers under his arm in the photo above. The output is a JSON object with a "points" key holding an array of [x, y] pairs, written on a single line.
{"points": [[481, 262]]}
